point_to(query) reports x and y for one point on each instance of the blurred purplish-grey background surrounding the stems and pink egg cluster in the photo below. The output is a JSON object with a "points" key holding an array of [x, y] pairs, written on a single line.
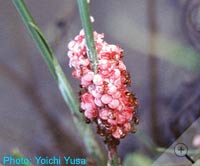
{"points": [[161, 42]]}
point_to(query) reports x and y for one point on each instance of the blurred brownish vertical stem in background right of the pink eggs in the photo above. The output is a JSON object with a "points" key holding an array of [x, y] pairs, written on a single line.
{"points": [[153, 71]]}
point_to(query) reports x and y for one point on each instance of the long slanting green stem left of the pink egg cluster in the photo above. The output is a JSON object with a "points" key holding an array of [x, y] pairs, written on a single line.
{"points": [[65, 88]]}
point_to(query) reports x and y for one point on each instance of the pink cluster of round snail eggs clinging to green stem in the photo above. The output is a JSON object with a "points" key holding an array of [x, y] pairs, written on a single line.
{"points": [[104, 97]]}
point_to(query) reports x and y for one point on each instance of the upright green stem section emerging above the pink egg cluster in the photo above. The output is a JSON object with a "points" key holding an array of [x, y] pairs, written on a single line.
{"points": [[88, 29]]}
